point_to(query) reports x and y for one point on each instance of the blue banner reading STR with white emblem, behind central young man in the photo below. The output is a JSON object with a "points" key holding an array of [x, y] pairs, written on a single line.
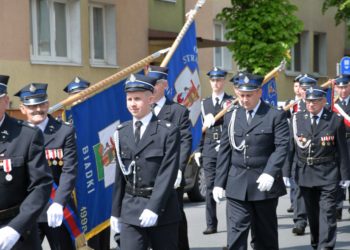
{"points": [[183, 80]]}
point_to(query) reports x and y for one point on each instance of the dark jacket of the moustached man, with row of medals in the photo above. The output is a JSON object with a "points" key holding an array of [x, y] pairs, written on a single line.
{"points": [[61, 135]]}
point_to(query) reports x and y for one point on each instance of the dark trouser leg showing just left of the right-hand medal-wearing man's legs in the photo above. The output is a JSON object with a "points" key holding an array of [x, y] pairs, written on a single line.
{"points": [[299, 214]]}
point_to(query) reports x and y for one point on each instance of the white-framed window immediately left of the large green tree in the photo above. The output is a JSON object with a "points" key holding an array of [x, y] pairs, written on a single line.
{"points": [[222, 56]]}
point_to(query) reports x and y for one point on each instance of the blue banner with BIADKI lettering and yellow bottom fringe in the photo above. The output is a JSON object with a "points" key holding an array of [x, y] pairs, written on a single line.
{"points": [[95, 121]]}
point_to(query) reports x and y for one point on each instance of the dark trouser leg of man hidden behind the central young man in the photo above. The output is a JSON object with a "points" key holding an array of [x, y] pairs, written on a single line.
{"points": [[183, 238]]}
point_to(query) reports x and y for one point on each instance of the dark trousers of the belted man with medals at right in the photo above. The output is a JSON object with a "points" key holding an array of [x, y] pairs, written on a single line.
{"points": [[321, 211]]}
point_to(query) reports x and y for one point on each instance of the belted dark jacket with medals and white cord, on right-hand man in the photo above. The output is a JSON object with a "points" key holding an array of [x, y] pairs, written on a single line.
{"points": [[327, 141]]}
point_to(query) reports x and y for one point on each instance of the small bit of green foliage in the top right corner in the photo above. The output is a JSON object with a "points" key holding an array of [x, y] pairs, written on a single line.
{"points": [[343, 9]]}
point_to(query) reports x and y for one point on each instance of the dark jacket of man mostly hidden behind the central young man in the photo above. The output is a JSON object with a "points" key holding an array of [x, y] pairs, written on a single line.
{"points": [[178, 115]]}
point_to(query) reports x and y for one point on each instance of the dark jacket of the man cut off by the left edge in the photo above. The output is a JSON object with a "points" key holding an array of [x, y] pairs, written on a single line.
{"points": [[31, 184]]}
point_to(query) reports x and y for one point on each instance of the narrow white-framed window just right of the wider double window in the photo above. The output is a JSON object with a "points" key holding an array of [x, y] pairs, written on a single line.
{"points": [[102, 35]]}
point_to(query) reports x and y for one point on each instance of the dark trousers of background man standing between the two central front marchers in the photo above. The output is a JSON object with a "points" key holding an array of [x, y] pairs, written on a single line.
{"points": [[209, 166]]}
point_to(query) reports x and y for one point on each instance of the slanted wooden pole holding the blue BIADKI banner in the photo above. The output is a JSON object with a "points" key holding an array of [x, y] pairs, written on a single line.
{"points": [[107, 82]]}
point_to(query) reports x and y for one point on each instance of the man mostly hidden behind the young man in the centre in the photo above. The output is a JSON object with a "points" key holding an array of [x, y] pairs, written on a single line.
{"points": [[178, 115]]}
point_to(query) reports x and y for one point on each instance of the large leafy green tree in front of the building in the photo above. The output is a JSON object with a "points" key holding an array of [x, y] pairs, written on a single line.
{"points": [[262, 31]]}
